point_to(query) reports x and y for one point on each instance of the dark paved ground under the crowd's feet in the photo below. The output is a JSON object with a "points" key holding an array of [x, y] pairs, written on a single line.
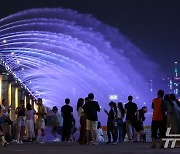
{"points": [[75, 148]]}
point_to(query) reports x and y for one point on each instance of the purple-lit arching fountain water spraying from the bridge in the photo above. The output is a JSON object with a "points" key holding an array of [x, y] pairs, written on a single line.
{"points": [[60, 53]]}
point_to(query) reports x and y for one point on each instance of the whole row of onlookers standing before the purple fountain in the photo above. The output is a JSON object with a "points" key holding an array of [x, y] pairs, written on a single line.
{"points": [[120, 121]]}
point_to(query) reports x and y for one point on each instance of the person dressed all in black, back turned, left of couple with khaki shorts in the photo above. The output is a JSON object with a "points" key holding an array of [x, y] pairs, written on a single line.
{"points": [[67, 113]]}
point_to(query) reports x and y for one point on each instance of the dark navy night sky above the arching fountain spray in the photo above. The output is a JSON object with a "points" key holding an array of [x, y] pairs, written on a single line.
{"points": [[152, 25]]}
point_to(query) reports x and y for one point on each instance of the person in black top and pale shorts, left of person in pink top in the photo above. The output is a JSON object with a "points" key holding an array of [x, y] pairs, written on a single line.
{"points": [[21, 122]]}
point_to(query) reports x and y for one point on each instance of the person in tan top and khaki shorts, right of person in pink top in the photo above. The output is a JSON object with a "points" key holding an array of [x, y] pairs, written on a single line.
{"points": [[40, 122]]}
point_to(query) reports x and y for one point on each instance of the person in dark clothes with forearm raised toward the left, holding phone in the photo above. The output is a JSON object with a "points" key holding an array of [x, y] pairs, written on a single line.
{"points": [[111, 123]]}
